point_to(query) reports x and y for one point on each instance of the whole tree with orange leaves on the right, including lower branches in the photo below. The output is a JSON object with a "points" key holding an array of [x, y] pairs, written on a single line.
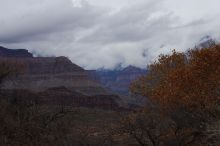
{"points": [[185, 86]]}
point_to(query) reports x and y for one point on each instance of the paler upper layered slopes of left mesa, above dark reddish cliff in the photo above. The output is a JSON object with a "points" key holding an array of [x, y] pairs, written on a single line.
{"points": [[42, 73]]}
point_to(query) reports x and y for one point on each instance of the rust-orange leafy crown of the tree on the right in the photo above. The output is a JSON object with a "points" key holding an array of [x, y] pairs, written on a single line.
{"points": [[190, 79]]}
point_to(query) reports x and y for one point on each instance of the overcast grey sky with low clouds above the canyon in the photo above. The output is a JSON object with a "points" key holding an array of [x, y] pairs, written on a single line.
{"points": [[106, 33]]}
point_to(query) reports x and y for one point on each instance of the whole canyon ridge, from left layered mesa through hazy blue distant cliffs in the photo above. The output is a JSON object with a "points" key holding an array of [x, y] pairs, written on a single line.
{"points": [[56, 80]]}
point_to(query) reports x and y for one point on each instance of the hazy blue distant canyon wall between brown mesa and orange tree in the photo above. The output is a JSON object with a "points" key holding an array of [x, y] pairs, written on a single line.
{"points": [[117, 80]]}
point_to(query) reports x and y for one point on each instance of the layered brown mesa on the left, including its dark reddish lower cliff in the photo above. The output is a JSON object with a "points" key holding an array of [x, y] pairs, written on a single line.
{"points": [[56, 80]]}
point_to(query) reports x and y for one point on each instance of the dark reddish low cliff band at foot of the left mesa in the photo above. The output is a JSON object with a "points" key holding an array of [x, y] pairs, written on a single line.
{"points": [[61, 96]]}
